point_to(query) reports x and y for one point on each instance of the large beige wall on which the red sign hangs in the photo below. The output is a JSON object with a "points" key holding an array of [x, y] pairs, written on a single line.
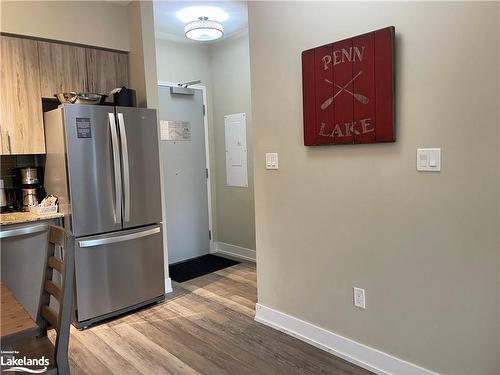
{"points": [[424, 245]]}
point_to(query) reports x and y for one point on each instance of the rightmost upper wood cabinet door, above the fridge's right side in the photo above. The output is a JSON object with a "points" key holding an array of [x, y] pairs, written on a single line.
{"points": [[106, 70]]}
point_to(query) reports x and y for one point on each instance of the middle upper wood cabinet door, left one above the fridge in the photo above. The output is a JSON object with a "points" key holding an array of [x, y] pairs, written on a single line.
{"points": [[63, 68]]}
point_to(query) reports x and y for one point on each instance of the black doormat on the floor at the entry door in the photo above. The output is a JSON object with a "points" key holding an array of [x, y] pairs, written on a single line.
{"points": [[197, 267]]}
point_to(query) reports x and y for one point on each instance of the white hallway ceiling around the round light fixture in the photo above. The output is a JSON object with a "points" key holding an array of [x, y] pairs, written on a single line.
{"points": [[169, 26]]}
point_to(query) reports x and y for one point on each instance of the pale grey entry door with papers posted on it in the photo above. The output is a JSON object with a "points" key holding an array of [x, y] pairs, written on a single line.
{"points": [[185, 175]]}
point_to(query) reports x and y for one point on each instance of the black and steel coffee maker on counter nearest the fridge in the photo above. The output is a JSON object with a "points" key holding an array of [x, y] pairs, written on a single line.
{"points": [[29, 190]]}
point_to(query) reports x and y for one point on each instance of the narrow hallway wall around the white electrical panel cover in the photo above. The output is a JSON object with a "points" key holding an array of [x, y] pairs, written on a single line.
{"points": [[230, 63]]}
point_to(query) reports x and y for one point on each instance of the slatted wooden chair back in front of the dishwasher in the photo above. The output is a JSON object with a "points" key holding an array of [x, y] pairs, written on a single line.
{"points": [[59, 319]]}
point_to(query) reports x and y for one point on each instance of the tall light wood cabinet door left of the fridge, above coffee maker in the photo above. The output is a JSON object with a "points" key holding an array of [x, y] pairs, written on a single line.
{"points": [[21, 126]]}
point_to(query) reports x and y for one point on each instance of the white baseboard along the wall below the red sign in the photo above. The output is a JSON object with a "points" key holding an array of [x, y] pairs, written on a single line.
{"points": [[352, 351]]}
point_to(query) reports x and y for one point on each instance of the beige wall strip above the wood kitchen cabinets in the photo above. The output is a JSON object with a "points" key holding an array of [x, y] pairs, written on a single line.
{"points": [[94, 23]]}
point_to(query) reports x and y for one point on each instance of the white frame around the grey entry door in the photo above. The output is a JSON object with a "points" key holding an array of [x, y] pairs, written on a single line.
{"points": [[203, 88]]}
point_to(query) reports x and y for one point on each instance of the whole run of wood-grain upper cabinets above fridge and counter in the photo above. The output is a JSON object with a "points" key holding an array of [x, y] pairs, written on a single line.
{"points": [[31, 70]]}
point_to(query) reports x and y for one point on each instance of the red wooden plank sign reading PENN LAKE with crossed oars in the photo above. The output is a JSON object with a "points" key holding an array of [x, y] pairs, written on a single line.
{"points": [[348, 90]]}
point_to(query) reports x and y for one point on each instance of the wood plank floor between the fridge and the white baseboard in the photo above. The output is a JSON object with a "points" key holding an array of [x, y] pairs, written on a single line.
{"points": [[205, 326]]}
